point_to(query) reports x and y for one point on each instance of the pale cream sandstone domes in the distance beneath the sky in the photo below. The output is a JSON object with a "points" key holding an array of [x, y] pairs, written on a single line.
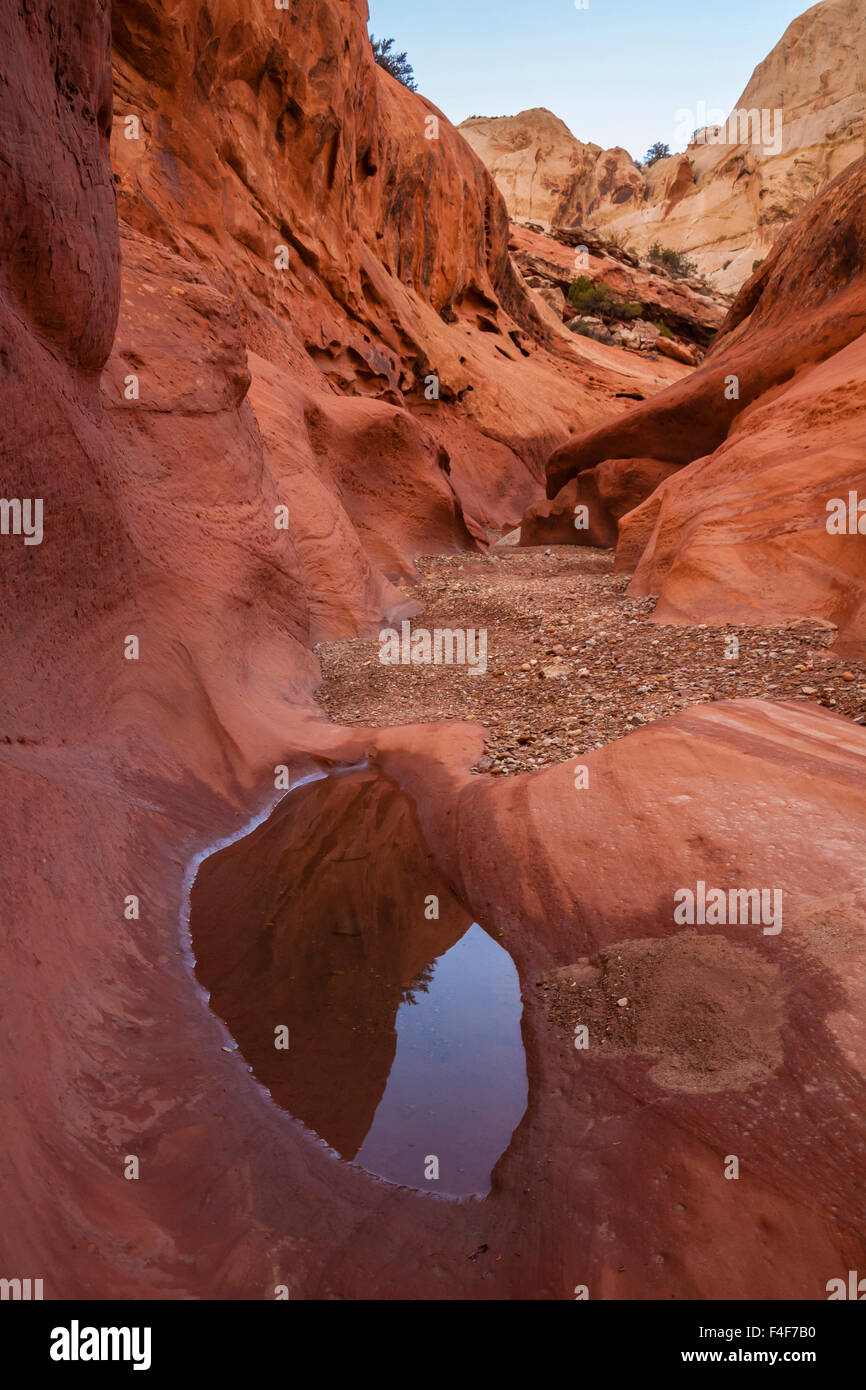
{"points": [[721, 204]]}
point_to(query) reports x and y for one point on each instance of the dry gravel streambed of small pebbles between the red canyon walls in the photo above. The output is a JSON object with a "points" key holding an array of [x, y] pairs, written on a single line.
{"points": [[573, 662]]}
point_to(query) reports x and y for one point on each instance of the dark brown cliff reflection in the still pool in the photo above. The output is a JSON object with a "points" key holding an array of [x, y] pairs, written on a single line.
{"points": [[318, 922]]}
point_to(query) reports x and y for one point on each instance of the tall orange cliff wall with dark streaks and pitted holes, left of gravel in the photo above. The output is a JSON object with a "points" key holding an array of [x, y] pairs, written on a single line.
{"points": [[363, 251]]}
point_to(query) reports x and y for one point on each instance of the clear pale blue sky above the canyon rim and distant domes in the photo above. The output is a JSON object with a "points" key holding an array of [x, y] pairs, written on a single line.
{"points": [[616, 73]]}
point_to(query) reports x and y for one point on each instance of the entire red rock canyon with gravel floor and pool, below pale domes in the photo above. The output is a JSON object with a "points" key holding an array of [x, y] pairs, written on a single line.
{"points": [[347, 775]]}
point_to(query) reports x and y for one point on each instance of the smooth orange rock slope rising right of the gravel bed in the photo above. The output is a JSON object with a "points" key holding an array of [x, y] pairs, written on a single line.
{"points": [[764, 437]]}
